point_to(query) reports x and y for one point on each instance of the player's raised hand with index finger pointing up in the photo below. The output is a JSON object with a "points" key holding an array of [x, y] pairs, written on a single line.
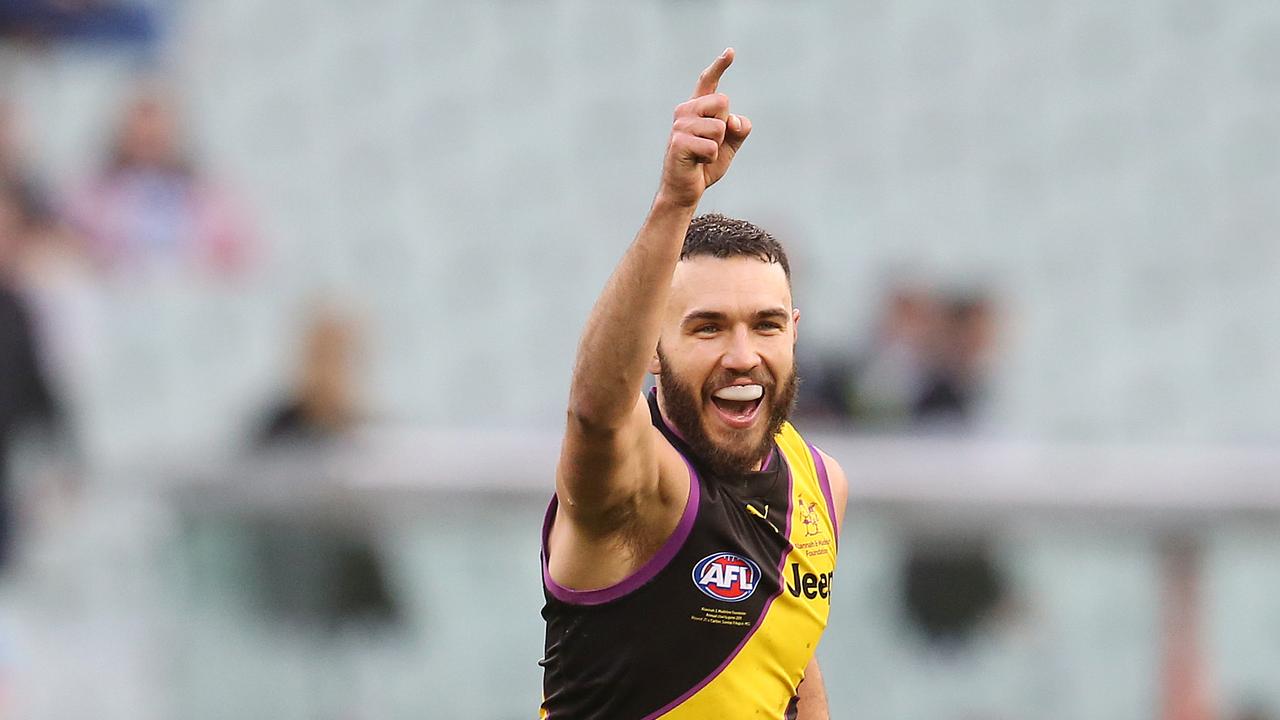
{"points": [[705, 139]]}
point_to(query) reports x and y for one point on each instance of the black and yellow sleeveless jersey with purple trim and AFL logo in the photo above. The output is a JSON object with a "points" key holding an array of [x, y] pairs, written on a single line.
{"points": [[725, 618]]}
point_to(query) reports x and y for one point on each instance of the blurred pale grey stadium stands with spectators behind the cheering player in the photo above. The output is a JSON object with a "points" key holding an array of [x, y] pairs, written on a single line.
{"points": [[305, 282]]}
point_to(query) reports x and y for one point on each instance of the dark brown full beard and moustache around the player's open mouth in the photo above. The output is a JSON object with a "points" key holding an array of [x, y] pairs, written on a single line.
{"points": [[684, 408]]}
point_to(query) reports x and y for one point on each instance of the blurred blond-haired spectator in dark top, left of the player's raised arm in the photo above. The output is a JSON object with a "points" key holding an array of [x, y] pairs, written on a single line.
{"points": [[323, 405]]}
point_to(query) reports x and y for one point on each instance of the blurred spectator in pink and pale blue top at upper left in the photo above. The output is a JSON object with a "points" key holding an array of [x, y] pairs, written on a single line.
{"points": [[153, 208]]}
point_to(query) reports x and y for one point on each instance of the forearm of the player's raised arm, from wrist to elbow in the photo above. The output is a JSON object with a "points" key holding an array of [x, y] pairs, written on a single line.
{"points": [[623, 331]]}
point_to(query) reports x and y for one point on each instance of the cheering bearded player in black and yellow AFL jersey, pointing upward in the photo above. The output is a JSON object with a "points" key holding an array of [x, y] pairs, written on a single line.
{"points": [[688, 557]]}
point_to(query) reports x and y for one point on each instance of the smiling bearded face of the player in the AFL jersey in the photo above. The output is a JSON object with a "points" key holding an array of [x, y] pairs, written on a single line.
{"points": [[726, 358]]}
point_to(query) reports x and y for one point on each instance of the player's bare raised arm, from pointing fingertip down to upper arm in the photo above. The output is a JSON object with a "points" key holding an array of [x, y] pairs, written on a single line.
{"points": [[609, 455]]}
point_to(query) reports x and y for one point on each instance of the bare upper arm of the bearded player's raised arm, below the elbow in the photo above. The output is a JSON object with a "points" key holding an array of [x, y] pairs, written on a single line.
{"points": [[602, 470]]}
